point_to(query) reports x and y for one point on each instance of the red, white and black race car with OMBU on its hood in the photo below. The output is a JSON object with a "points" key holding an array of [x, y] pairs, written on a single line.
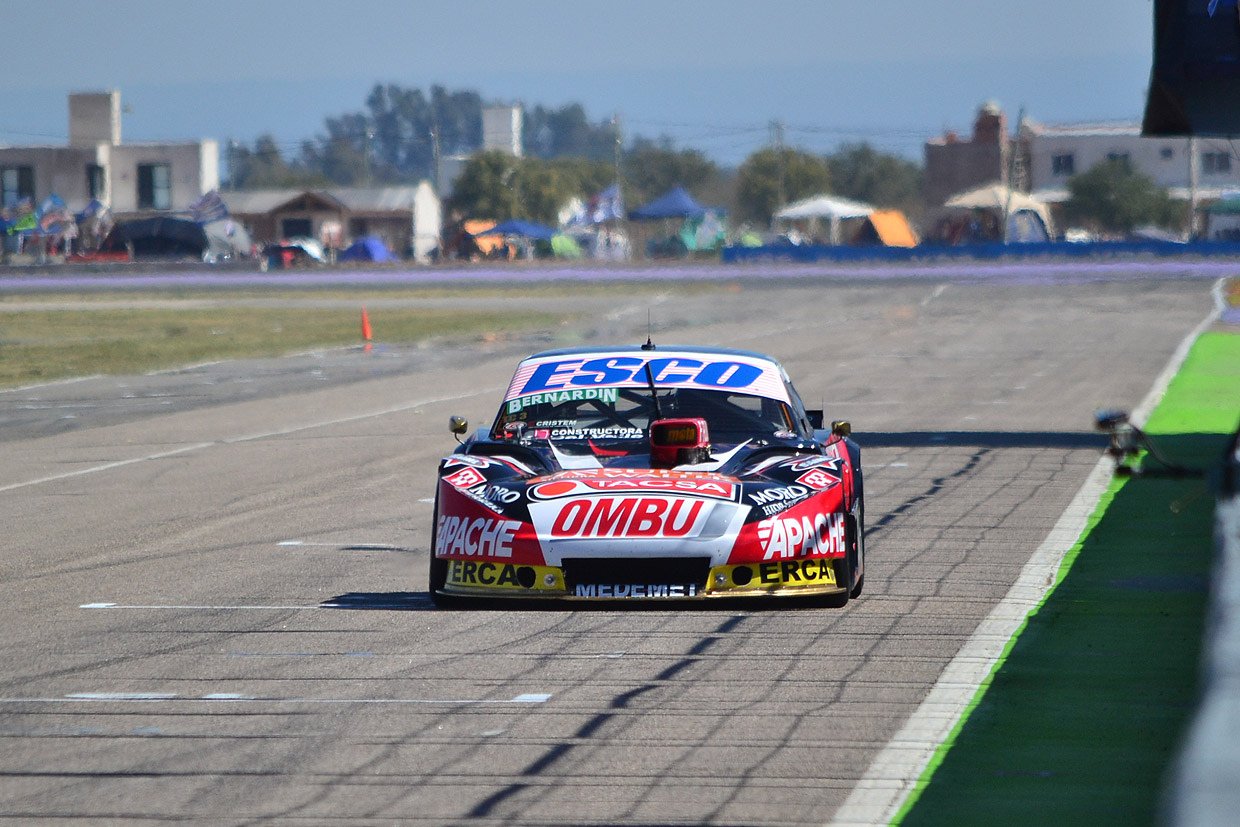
{"points": [[645, 473]]}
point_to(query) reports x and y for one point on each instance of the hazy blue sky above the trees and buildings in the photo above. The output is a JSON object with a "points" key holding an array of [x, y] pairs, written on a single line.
{"points": [[712, 75]]}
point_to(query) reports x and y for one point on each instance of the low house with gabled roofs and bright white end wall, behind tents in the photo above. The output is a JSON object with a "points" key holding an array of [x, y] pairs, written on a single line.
{"points": [[407, 219]]}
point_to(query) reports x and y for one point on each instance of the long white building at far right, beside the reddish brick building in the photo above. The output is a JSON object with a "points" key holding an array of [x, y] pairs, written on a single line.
{"points": [[1197, 169]]}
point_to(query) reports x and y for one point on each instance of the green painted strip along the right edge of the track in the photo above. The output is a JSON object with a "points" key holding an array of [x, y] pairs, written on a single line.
{"points": [[1086, 710]]}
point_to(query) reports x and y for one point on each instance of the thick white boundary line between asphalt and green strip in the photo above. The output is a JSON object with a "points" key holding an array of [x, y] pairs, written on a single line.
{"points": [[892, 777]]}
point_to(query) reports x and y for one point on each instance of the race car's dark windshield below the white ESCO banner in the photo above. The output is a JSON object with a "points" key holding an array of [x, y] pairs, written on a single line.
{"points": [[624, 416]]}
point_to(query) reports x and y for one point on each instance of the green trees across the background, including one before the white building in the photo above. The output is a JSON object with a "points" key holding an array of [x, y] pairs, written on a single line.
{"points": [[399, 135]]}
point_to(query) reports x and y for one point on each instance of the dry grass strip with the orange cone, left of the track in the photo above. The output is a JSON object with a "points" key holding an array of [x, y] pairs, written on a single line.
{"points": [[54, 344]]}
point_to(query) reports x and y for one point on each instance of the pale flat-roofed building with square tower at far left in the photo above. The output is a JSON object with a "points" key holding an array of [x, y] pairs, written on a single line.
{"points": [[144, 179]]}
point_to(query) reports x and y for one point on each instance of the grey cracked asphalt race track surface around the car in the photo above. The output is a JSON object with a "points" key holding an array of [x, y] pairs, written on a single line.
{"points": [[215, 604]]}
